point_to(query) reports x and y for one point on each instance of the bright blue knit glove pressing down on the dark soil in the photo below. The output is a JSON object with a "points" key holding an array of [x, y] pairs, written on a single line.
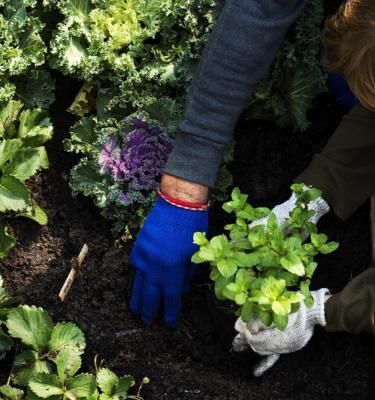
{"points": [[161, 257]]}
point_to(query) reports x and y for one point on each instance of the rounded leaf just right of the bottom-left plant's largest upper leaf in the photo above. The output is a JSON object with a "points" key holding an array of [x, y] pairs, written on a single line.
{"points": [[67, 334]]}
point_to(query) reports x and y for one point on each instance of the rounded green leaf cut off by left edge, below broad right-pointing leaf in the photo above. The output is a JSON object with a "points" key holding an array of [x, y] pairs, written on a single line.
{"points": [[13, 194]]}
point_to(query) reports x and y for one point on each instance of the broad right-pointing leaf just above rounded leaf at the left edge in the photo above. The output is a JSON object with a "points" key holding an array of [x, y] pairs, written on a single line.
{"points": [[26, 162]]}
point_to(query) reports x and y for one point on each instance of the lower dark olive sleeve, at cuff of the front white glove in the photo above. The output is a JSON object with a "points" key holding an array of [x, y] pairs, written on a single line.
{"points": [[353, 309]]}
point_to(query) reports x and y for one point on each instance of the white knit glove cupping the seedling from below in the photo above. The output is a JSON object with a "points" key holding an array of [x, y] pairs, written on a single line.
{"points": [[271, 342]]}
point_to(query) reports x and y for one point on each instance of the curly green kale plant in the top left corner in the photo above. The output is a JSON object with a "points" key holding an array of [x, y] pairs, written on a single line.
{"points": [[23, 53]]}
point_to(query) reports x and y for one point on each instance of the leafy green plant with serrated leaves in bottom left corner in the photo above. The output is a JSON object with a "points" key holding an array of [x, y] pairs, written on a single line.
{"points": [[48, 359]]}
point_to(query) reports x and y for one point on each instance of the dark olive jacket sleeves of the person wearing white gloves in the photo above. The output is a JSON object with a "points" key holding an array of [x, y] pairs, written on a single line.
{"points": [[345, 172]]}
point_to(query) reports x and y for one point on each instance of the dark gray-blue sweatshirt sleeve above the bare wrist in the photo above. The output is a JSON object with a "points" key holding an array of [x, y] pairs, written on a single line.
{"points": [[239, 52]]}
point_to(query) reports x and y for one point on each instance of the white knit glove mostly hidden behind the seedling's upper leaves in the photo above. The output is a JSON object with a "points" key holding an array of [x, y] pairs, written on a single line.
{"points": [[281, 211]]}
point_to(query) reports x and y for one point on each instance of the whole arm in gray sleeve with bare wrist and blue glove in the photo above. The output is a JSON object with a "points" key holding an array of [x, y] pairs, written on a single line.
{"points": [[239, 52]]}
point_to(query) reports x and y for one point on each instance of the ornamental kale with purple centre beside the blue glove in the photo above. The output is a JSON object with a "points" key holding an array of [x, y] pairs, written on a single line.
{"points": [[122, 167]]}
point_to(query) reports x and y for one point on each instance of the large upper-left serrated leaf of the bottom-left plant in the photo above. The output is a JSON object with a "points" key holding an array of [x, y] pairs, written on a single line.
{"points": [[32, 325]]}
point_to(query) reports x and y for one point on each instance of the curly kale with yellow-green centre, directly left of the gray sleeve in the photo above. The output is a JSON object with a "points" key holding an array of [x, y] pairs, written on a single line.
{"points": [[141, 54]]}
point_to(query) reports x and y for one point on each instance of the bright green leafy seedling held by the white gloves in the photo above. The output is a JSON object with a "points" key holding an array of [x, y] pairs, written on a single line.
{"points": [[266, 270]]}
